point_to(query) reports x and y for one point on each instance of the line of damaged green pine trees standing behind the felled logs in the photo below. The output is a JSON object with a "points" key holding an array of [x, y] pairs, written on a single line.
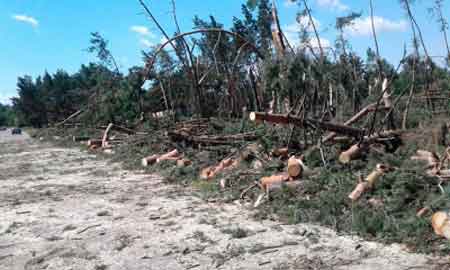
{"points": [[225, 73]]}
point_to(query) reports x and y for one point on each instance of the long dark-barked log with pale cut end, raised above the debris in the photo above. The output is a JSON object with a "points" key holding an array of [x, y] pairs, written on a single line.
{"points": [[301, 122]]}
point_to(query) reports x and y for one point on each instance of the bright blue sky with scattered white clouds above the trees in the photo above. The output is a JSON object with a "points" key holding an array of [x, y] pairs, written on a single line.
{"points": [[39, 35]]}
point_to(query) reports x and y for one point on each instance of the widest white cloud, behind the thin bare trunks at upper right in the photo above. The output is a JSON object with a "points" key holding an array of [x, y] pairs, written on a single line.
{"points": [[363, 26]]}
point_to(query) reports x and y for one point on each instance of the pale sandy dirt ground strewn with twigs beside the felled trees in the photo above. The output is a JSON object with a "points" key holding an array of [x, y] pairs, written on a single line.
{"points": [[66, 209]]}
